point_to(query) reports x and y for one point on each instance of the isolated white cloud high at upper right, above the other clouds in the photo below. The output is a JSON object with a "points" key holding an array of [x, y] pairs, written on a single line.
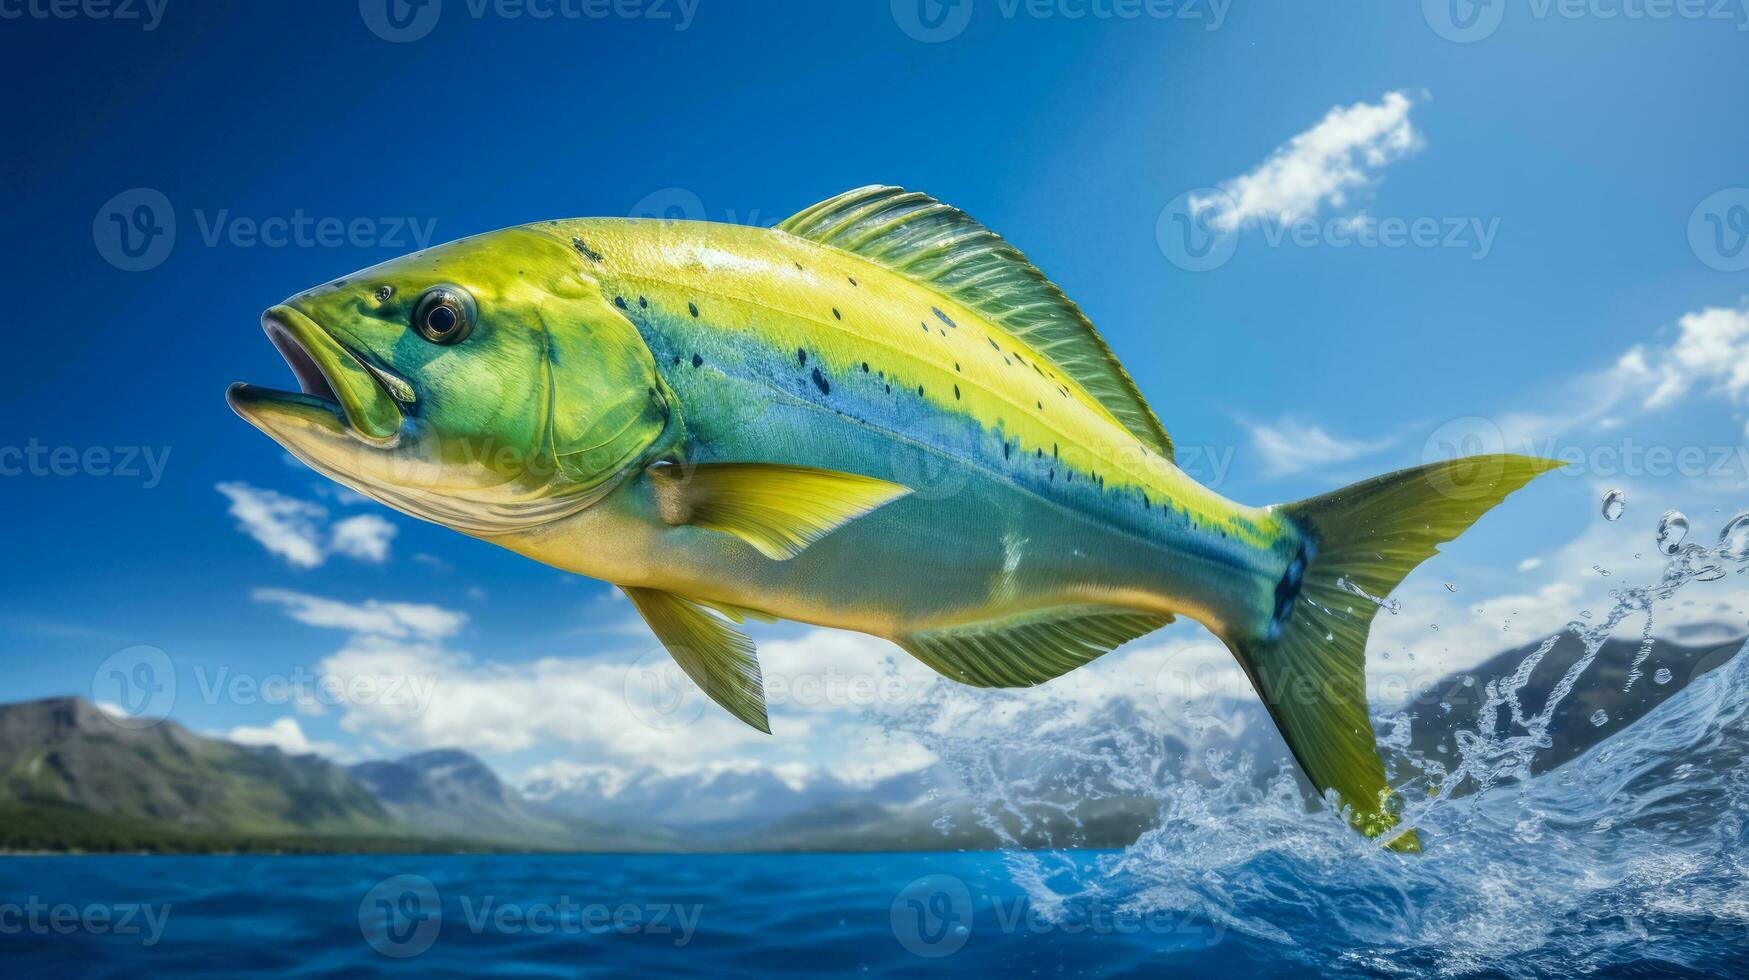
{"points": [[1327, 165]]}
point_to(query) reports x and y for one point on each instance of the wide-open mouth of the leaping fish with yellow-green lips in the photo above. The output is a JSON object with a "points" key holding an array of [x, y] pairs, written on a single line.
{"points": [[337, 388]]}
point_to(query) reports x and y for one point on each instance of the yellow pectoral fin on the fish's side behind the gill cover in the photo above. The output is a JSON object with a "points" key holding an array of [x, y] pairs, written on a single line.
{"points": [[779, 510]]}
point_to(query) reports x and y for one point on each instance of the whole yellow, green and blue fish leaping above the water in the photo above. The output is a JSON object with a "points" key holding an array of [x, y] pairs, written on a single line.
{"points": [[879, 417]]}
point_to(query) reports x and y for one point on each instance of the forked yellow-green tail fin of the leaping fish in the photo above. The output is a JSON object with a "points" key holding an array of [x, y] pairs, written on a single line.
{"points": [[1311, 664]]}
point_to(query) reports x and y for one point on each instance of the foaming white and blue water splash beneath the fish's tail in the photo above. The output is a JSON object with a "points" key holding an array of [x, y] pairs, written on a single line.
{"points": [[1631, 857]]}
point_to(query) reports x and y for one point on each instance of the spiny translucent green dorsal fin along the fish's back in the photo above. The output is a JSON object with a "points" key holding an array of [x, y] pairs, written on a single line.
{"points": [[933, 244]]}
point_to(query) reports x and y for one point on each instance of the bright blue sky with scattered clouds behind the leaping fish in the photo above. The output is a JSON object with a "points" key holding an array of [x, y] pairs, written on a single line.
{"points": [[1585, 174]]}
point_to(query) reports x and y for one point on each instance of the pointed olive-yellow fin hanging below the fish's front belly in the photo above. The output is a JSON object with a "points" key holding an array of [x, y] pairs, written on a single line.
{"points": [[714, 655]]}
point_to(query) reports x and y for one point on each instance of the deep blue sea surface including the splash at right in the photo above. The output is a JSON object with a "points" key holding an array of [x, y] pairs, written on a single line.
{"points": [[1626, 862]]}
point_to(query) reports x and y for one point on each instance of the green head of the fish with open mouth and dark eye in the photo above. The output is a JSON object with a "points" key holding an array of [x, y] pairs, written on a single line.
{"points": [[485, 384]]}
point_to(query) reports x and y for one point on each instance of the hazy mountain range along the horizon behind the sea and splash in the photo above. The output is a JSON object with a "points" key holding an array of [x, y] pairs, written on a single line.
{"points": [[74, 778]]}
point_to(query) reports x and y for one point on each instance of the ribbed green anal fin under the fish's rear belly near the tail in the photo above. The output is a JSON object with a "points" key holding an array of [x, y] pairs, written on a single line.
{"points": [[1021, 652]]}
